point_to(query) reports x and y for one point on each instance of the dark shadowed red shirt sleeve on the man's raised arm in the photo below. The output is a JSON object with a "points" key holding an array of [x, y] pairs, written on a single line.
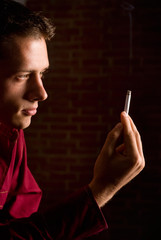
{"points": [[78, 217]]}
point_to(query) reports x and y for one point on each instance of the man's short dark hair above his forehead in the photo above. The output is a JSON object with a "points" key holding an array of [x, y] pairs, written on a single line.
{"points": [[16, 19]]}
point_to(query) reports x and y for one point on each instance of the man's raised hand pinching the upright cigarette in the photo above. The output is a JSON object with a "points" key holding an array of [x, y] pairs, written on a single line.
{"points": [[117, 164]]}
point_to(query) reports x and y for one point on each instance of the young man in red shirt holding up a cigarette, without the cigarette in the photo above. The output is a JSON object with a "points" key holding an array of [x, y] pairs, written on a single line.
{"points": [[23, 61]]}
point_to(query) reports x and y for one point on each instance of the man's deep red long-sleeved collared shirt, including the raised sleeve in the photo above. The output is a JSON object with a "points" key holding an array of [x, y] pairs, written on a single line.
{"points": [[76, 218]]}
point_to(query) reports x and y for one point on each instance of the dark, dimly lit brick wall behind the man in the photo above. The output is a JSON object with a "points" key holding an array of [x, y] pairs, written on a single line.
{"points": [[90, 73]]}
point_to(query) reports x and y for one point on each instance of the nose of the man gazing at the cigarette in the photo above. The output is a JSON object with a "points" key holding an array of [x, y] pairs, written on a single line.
{"points": [[36, 90]]}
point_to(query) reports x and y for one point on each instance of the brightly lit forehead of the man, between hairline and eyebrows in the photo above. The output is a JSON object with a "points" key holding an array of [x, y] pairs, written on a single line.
{"points": [[25, 53]]}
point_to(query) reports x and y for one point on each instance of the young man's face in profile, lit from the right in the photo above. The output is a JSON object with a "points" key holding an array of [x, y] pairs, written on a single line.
{"points": [[21, 86]]}
